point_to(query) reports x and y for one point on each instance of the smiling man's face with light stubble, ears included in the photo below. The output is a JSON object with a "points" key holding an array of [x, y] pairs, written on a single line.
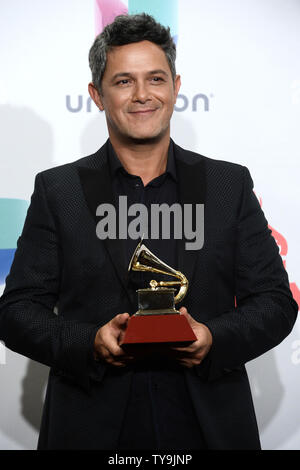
{"points": [[138, 93]]}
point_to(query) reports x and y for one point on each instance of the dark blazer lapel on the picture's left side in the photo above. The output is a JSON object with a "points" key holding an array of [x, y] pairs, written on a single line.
{"points": [[97, 189]]}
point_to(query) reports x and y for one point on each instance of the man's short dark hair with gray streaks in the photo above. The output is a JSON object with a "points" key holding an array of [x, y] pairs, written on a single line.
{"points": [[127, 29]]}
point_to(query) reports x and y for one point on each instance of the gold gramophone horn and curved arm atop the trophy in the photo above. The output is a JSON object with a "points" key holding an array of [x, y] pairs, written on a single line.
{"points": [[144, 260]]}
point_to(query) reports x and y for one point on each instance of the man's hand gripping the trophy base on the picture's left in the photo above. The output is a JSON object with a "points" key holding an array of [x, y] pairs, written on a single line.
{"points": [[108, 337]]}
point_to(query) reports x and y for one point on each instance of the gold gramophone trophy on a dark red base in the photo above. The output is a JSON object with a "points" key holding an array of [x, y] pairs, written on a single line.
{"points": [[157, 320]]}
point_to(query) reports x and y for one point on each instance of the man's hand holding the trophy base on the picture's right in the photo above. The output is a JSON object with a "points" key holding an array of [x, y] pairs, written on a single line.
{"points": [[194, 354]]}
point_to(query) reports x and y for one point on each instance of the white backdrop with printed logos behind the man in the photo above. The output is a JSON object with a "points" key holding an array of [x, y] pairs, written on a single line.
{"points": [[242, 57]]}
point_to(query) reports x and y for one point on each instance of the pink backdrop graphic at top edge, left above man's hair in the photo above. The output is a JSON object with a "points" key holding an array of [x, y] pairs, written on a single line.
{"points": [[106, 11]]}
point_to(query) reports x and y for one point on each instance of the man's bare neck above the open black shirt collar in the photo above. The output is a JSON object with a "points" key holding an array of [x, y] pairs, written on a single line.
{"points": [[147, 160]]}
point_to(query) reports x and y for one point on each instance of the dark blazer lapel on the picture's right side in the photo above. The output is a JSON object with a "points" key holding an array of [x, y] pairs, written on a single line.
{"points": [[191, 176]]}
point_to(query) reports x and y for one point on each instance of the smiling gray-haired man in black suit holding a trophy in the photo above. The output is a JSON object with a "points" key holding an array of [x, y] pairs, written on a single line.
{"points": [[239, 304]]}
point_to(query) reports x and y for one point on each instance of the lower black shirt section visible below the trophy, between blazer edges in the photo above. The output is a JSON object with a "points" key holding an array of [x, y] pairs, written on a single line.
{"points": [[160, 414]]}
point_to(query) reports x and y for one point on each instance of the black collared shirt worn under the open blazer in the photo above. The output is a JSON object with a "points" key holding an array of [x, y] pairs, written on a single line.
{"points": [[160, 413]]}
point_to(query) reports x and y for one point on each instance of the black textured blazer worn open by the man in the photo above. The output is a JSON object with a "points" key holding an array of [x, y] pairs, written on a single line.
{"points": [[65, 283]]}
